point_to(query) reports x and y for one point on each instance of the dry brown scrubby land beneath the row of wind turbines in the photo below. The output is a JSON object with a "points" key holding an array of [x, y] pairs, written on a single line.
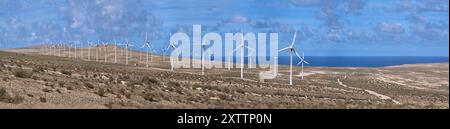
{"points": [[29, 79]]}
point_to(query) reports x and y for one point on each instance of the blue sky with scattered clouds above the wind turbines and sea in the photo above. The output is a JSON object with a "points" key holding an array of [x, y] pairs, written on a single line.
{"points": [[324, 27]]}
